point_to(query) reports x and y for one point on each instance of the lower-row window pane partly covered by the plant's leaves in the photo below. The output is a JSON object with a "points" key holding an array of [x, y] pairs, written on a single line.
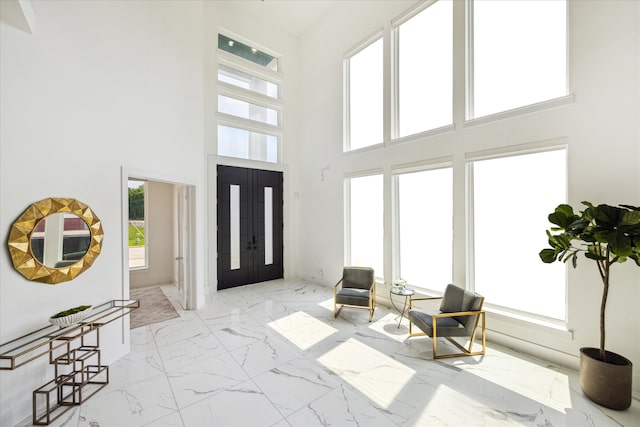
{"points": [[512, 198]]}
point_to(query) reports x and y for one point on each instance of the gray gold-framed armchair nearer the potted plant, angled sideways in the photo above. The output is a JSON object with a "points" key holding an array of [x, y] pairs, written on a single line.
{"points": [[460, 312]]}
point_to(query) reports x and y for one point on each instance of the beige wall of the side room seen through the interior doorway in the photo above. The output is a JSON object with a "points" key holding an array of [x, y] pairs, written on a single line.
{"points": [[159, 238]]}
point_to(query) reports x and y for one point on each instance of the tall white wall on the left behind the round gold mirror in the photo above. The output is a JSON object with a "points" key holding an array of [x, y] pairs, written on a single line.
{"points": [[98, 85]]}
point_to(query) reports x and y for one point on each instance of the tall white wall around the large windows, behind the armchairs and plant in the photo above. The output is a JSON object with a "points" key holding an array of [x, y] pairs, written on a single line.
{"points": [[601, 128]]}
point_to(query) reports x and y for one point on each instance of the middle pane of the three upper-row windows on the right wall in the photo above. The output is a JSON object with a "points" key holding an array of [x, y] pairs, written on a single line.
{"points": [[425, 62]]}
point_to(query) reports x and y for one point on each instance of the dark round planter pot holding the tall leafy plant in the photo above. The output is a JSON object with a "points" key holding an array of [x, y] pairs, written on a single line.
{"points": [[606, 383]]}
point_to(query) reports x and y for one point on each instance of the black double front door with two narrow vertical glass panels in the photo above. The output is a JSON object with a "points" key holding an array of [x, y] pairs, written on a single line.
{"points": [[249, 226]]}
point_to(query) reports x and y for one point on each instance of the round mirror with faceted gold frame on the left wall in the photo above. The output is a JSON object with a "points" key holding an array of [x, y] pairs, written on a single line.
{"points": [[55, 240]]}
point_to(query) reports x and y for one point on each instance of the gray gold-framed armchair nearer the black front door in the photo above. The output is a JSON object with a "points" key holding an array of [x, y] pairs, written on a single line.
{"points": [[357, 289]]}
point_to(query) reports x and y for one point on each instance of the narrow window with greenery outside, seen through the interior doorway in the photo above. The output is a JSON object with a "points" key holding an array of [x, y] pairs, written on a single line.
{"points": [[137, 224]]}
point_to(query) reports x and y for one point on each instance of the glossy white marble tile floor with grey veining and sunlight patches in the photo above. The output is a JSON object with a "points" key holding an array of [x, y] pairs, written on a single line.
{"points": [[272, 354]]}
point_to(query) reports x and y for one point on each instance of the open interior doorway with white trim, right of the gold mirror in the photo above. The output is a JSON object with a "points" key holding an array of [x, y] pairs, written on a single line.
{"points": [[169, 242]]}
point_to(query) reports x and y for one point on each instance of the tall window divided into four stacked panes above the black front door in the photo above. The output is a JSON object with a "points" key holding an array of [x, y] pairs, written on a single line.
{"points": [[249, 104]]}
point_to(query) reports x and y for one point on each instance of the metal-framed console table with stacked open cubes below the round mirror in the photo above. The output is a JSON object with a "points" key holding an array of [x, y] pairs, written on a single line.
{"points": [[74, 351]]}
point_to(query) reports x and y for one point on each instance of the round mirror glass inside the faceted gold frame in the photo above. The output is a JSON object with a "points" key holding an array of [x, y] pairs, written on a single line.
{"points": [[60, 239]]}
